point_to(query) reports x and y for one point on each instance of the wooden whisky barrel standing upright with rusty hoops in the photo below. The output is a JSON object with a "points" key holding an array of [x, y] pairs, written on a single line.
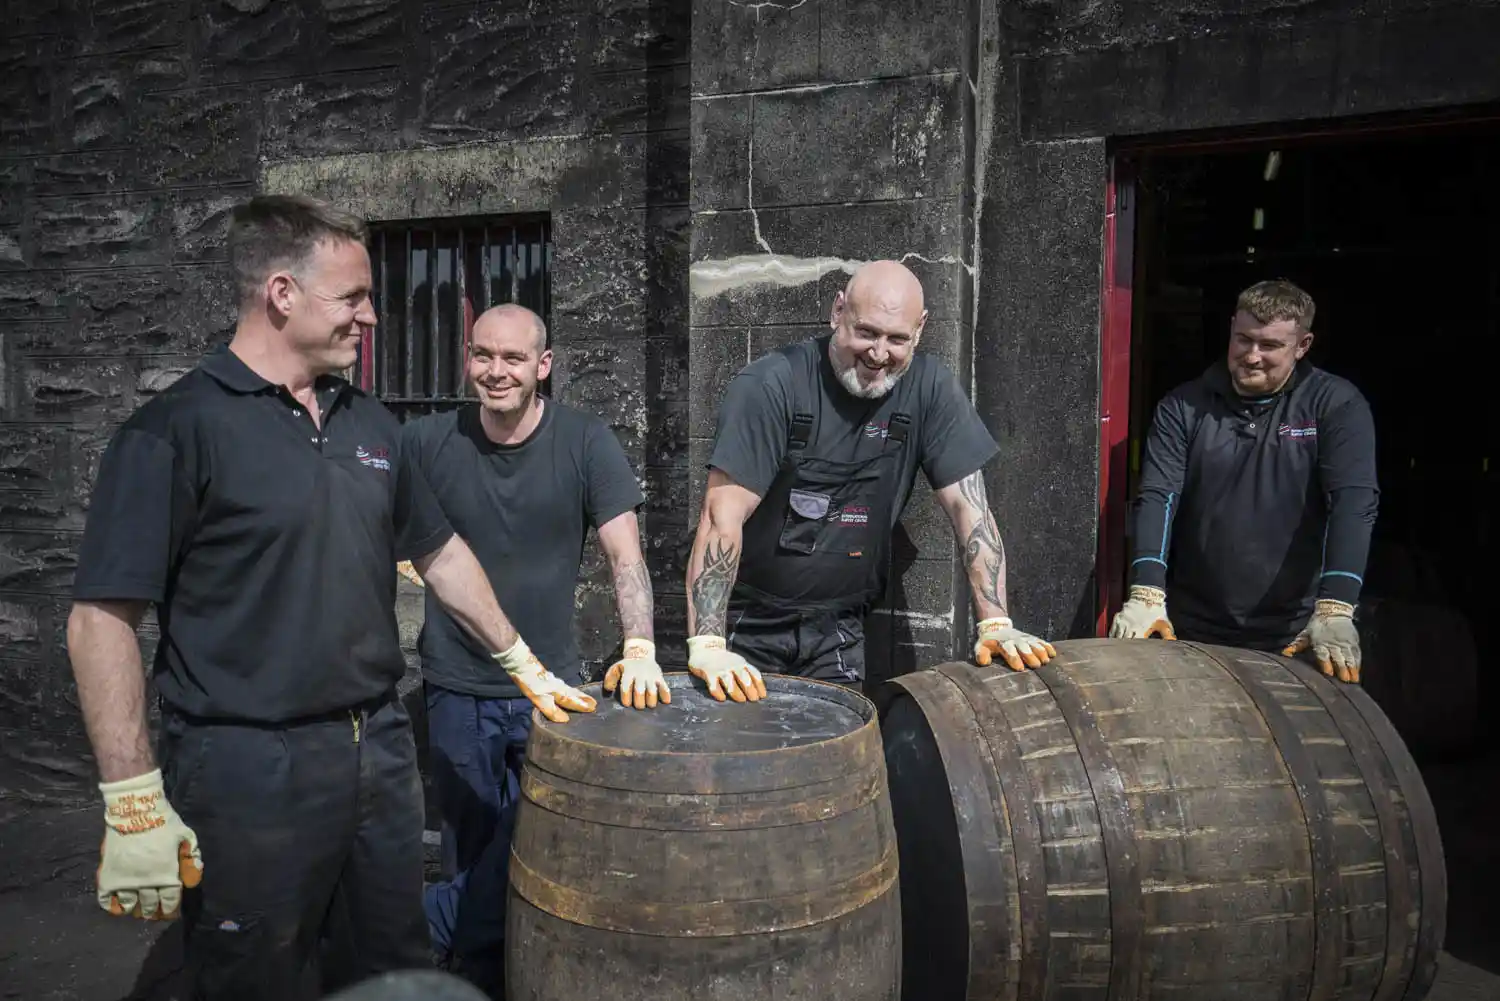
{"points": [[707, 852]]}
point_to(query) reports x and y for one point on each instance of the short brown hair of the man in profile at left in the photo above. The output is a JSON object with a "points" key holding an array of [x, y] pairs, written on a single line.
{"points": [[269, 233]]}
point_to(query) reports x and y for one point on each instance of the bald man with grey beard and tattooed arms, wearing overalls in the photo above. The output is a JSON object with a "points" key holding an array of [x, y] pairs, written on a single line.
{"points": [[815, 458]]}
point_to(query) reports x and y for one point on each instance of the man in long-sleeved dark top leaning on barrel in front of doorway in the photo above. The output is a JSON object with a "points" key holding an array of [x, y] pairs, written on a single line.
{"points": [[1258, 497]]}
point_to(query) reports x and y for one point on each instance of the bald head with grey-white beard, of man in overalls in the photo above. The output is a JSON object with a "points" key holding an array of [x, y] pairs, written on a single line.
{"points": [[878, 320]]}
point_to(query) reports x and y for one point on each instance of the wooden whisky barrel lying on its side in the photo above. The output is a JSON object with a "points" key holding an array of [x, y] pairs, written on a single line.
{"points": [[1159, 820]]}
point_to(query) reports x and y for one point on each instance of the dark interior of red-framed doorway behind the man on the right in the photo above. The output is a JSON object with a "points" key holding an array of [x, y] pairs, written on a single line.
{"points": [[1396, 238]]}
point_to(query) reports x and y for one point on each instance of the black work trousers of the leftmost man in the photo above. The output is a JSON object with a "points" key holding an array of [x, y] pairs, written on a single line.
{"points": [[298, 823]]}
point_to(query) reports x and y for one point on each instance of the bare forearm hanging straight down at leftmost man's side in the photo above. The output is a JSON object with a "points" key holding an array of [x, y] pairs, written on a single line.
{"points": [[112, 688]]}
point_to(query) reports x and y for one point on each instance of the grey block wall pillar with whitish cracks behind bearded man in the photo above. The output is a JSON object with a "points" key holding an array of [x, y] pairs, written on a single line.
{"points": [[830, 133]]}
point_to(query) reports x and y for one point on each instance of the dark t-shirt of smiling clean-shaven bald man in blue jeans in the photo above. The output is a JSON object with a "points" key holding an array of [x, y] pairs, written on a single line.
{"points": [[526, 511]]}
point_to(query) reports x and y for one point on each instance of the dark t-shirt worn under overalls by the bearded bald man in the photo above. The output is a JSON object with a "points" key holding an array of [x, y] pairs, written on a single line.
{"points": [[757, 415]]}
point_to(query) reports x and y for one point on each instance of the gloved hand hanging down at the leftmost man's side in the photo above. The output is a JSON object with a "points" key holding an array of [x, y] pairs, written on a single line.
{"points": [[148, 855]]}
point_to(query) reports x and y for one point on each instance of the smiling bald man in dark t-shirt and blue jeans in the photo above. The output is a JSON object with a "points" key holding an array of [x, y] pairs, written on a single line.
{"points": [[523, 479]]}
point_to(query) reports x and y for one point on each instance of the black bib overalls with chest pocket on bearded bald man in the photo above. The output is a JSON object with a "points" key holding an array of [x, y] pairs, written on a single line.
{"points": [[817, 556]]}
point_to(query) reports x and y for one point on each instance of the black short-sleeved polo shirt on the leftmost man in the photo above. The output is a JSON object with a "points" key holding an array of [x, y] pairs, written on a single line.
{"points": [[269, 546]]}
